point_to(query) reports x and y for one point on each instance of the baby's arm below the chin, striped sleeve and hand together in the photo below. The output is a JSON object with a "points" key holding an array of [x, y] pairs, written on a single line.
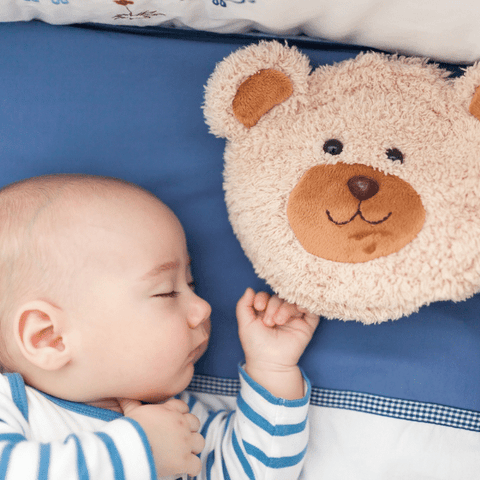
{"points": [[155, 440]]}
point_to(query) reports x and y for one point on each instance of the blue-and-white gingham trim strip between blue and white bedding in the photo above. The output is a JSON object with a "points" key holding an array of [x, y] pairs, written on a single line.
{"points": [[360, 402]]}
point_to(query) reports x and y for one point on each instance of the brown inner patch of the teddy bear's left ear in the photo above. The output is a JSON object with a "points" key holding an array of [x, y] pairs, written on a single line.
{"points": [[259, 93]]}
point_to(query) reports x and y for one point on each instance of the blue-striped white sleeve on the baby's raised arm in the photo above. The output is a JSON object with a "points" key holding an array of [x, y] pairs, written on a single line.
{"points": [[264, 438]]}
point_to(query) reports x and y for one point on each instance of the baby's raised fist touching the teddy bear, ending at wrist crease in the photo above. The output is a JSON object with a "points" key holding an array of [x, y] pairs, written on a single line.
{"points": [[273, 333]]}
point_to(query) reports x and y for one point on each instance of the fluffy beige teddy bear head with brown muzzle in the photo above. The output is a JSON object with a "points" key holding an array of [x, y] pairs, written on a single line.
{"points": [[353, 189]]}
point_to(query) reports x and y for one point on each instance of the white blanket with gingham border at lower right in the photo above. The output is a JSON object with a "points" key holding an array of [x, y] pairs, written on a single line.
{"points": [[356, 436]]}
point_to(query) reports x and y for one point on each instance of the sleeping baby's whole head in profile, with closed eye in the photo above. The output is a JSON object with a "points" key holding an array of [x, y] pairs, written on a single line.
{"points": [[96, 294]]}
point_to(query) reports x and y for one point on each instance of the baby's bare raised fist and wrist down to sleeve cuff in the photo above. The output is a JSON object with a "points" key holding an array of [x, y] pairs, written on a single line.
{"points": [[274, 335]]}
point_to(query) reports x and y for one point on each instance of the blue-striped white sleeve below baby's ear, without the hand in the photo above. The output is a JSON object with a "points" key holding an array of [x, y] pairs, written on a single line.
{"points": [[118, 451]]}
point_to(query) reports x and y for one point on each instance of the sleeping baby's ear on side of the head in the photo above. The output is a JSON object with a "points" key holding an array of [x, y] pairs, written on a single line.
{"points": [[38, 327]]}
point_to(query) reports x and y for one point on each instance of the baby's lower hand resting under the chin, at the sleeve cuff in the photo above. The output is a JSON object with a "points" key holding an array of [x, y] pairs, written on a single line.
{"points": [[172, 433]]}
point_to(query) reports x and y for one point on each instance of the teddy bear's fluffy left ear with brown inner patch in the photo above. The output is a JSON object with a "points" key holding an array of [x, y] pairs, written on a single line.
{"points": [[250, 82]]}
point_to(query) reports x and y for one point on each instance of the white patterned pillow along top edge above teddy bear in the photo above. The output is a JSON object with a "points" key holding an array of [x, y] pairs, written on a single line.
{"points": [[444, 30]]}
